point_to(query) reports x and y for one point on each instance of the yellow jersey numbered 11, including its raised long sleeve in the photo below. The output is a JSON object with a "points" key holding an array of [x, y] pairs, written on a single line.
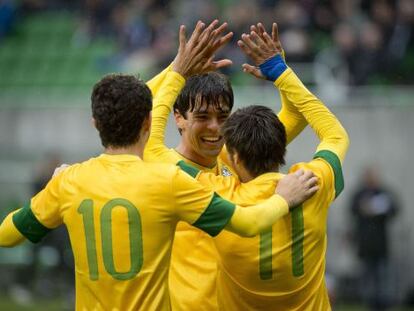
{"points": [[283, 268]]}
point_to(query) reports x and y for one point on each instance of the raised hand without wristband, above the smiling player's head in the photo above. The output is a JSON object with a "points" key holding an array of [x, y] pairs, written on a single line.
{"points": [[197, 54]]}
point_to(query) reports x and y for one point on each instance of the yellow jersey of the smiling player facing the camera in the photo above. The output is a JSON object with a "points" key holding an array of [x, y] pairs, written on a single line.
{"points": [[193, 271]]}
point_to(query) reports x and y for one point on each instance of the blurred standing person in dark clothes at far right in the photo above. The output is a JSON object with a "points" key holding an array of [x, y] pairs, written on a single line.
{"points": [[373, 205]]}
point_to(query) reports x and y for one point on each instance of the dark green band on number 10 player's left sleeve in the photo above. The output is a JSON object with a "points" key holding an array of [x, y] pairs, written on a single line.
{"points": [[28, 225]]}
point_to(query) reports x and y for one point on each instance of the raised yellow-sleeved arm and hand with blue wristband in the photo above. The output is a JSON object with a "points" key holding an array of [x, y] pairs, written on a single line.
{"points": [[267, 55]]}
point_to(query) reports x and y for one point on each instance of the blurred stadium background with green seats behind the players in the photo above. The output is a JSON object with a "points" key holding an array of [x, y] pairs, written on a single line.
{"points": [[356, 55]]}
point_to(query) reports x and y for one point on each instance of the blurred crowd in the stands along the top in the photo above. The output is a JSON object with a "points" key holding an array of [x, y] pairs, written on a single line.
{"points": [[357, 42]]}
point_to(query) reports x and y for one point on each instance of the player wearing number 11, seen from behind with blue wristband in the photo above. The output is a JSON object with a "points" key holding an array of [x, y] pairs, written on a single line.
{"points": [[283, 269]]}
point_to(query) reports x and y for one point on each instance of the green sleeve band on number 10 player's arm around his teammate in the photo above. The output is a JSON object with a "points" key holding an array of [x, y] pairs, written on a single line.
{"points": [[216, 216]]}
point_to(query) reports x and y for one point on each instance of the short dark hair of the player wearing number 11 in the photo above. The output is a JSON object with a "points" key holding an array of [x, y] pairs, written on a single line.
{"points": [[257, 135]]}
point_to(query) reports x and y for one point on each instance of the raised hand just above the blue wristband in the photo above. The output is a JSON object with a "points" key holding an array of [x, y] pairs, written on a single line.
{"points": [[259, 46]]}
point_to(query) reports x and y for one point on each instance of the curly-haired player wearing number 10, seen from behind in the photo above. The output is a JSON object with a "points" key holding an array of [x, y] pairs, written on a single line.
{"points": [[121, 212]]}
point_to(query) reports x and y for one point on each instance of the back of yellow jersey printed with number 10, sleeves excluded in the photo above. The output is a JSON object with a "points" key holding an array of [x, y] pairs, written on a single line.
{"points": [[120, 216]]}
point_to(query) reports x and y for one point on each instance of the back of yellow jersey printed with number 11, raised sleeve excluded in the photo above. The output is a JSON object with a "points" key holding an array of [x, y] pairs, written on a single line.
{"points": [[283, 268]]}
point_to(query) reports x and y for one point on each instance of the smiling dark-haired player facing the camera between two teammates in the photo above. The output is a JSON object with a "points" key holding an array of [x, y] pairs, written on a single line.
{"points": [[203, 104]]}
